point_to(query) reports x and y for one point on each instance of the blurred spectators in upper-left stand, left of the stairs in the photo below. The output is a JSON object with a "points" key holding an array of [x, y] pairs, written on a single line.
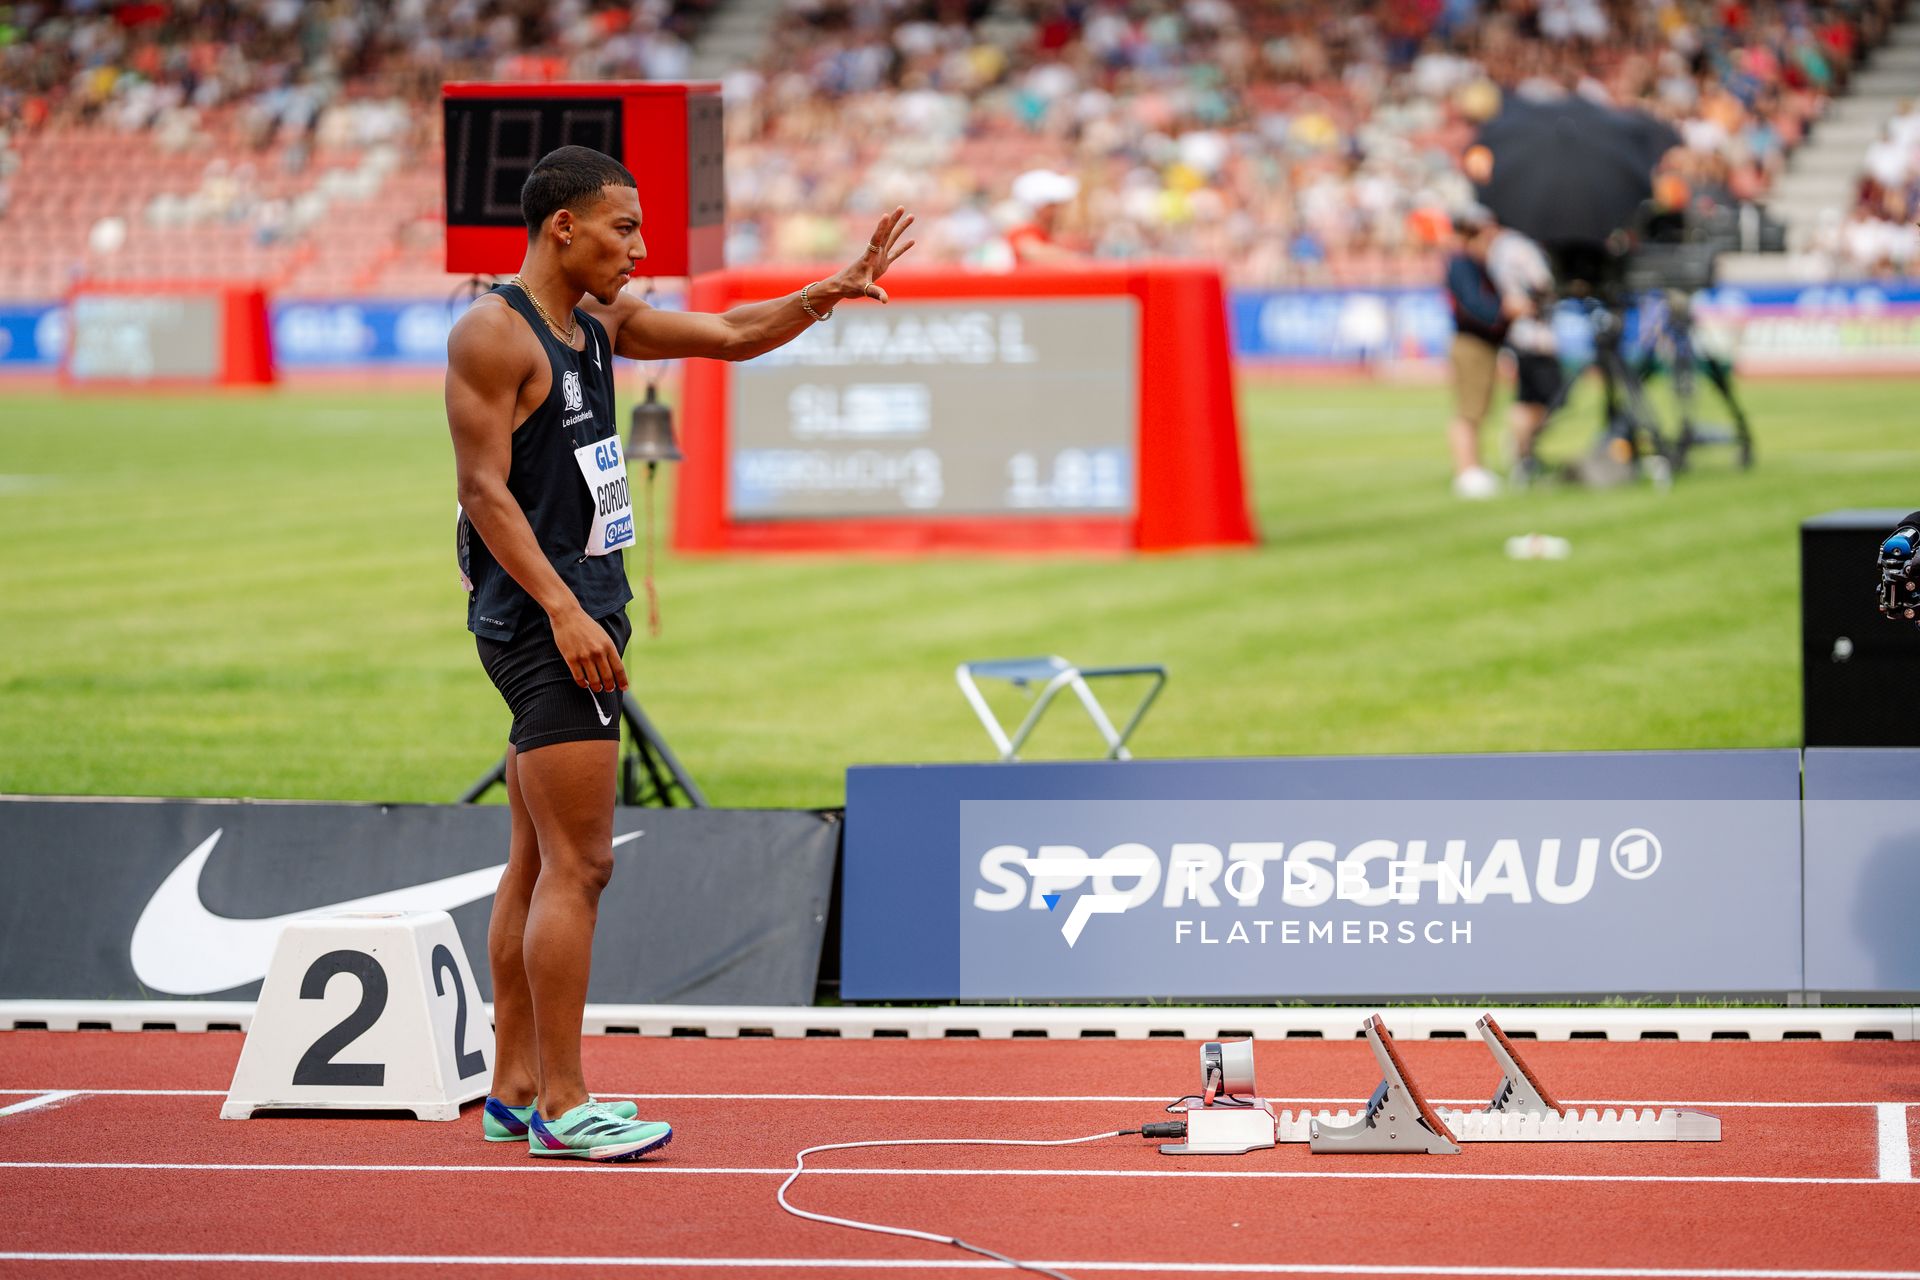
{"points": [[260, 83]]}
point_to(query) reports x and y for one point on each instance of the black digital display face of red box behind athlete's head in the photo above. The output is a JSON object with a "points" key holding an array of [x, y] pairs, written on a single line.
{"points": [[494, 143]]}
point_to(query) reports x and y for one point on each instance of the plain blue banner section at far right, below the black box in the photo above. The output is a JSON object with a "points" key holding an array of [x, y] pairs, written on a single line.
{"points": [[1863, 872]]}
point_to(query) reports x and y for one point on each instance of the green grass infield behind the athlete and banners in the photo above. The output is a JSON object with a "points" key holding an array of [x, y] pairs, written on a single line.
{"points": [[254, 596]]}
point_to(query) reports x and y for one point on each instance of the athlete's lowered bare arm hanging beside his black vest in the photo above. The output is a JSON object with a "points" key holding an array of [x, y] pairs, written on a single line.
{"points": [[483, 389]]}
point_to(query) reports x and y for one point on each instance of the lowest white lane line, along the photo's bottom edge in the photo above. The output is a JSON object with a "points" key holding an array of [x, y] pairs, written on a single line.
{"points": [[878, 1264]]}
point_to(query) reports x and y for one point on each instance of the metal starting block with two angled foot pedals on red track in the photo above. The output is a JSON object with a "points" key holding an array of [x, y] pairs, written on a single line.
{"points": [[1401, 1120]]}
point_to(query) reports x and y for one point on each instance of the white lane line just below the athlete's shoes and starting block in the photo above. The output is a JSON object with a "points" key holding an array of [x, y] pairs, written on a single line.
{"points": [[635, 1172]]}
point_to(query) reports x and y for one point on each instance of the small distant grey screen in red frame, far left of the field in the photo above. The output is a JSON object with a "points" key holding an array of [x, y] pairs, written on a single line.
{"points": [[133, 337]]}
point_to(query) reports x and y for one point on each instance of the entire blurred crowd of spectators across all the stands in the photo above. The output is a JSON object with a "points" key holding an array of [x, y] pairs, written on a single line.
{"points": [[1297, 143]]}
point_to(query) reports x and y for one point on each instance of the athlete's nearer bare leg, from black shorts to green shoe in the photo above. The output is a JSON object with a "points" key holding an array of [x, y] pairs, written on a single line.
{"points": [[569, 792]]}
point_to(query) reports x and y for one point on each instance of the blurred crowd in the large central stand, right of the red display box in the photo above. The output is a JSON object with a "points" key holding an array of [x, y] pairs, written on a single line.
{"points": [[1295, 143]]}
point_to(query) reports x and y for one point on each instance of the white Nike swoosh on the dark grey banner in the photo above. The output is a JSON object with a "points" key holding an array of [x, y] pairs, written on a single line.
{"points": [[183, 949]]}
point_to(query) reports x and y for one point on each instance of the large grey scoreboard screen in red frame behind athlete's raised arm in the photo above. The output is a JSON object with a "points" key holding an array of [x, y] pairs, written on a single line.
{"points": [[942, 410]]}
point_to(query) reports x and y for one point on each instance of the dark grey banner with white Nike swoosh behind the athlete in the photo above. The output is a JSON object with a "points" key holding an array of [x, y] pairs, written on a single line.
{"points": [[181, 899]]}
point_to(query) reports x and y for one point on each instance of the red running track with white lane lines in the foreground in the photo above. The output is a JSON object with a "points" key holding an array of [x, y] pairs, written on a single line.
{"points": [[133, 1181]]}
